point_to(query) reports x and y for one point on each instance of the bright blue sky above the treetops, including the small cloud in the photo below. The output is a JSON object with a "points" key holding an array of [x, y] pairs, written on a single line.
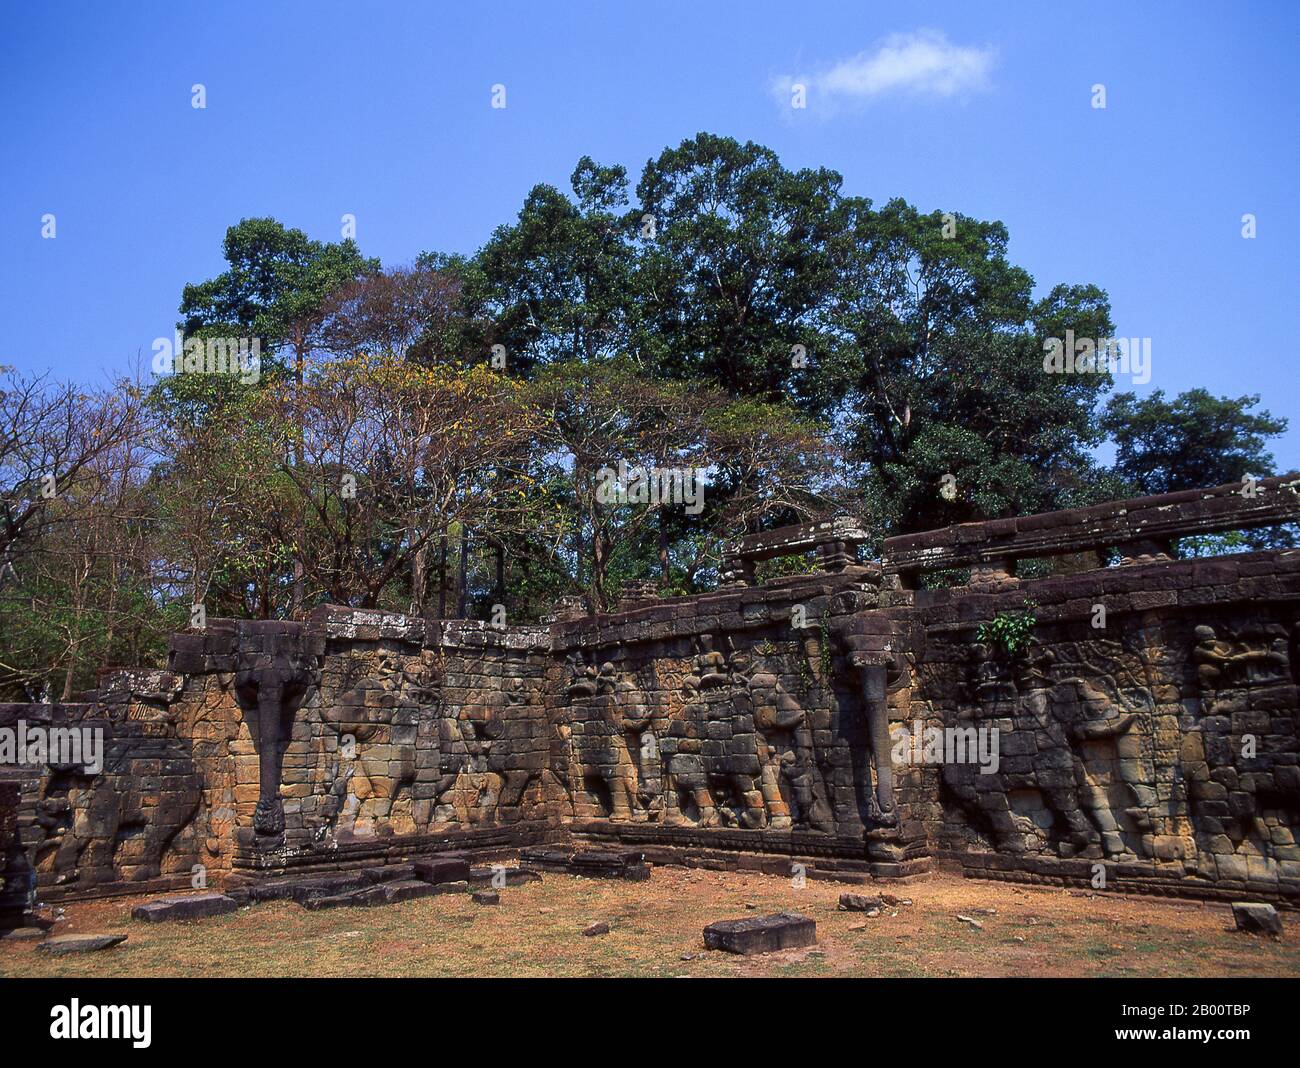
{"points": [[384, 111]]}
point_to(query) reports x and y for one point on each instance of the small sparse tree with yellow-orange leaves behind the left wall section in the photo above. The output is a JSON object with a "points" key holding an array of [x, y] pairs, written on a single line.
{"points": [[392, 455]]}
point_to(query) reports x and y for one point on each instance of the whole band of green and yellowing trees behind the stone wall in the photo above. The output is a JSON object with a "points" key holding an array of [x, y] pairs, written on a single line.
{"points": [[440, 437]]}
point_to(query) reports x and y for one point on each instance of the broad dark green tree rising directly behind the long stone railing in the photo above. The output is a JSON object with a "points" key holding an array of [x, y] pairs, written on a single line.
{"points": [[942, 348]]}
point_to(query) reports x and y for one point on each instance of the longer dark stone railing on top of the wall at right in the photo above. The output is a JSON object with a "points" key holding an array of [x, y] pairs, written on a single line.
{"points": [[1142, 531]]}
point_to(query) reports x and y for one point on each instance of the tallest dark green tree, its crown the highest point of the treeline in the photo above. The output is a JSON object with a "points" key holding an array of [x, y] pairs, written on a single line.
{"points": [[739, 258]]}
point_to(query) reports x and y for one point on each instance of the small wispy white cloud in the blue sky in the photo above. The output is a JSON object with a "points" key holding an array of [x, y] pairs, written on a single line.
{"points": [[922, 64]]}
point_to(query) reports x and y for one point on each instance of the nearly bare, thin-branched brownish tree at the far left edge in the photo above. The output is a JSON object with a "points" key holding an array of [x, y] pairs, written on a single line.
{"points": [[79, 588]]}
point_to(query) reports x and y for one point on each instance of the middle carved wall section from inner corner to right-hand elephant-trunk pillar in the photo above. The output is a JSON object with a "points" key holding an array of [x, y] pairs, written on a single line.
{"points": [[730, 726]]}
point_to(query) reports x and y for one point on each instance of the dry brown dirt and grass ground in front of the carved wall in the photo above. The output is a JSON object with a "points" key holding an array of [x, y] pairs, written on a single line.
{"points": [[656, 931]]}
